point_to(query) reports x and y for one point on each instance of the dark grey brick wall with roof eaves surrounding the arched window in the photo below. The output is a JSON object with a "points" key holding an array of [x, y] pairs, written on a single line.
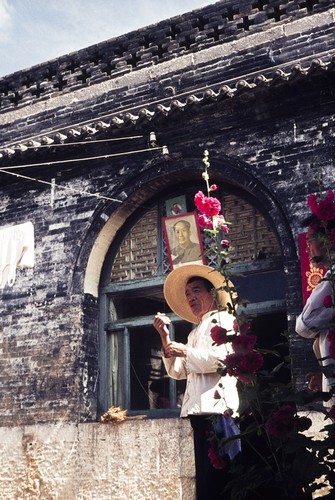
{"points": [[270, 141]]}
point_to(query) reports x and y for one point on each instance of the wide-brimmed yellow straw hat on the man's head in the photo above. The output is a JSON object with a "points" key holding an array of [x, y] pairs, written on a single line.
{"points": [[175, 284]]}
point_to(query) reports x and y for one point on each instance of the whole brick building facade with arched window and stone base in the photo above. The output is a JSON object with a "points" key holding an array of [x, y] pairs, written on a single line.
{"points": [[96, 149]]}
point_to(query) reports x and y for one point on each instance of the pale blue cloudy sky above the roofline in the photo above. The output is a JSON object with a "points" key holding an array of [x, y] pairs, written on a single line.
{"points": [[37, 31]]}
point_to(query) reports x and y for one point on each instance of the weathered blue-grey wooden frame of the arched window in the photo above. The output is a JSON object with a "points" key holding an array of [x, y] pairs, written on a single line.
{"points": [[154, 284]]}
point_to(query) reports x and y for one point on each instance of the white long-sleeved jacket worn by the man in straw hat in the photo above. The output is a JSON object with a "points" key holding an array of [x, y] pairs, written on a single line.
{"points": [[199, 367]]}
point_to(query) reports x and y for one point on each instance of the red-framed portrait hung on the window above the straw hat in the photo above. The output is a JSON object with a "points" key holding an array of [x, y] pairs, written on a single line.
{"points": [[183, 240]]}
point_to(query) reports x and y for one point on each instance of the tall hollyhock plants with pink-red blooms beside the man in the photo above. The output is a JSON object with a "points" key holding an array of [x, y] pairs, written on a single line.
{"points": [[278, 458]]}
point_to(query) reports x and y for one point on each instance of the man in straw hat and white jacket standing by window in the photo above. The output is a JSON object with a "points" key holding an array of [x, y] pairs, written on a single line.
{"points": [[188, 290]]}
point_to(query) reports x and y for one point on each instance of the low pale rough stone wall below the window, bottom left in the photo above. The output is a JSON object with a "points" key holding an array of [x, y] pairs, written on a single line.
{"points": [[98, 461]]}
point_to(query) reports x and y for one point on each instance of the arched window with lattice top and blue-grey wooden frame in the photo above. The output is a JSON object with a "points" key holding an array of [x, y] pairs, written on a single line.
{"points": [[132, 374]]}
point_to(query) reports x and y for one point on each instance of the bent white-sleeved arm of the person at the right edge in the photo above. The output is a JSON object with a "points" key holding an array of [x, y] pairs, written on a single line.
{"points": [[315, 317]]}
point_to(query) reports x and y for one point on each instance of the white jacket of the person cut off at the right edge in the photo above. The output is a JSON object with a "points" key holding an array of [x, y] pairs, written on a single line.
{"points": [[314, 322]]}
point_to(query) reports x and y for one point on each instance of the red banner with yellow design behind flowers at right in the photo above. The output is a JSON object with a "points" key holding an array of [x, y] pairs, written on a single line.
{"points": [[310, 274]]}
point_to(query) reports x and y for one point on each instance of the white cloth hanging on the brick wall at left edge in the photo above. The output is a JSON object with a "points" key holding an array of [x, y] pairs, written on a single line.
{"points": [[16, 250]]}
